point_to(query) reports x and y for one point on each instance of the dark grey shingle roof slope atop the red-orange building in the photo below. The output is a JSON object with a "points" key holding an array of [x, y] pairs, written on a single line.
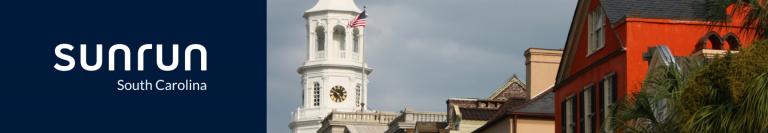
{"points": [[672, 9]]}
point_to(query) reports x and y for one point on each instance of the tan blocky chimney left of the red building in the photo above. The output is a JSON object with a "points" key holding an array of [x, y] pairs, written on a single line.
{"points": [[541, 69]]}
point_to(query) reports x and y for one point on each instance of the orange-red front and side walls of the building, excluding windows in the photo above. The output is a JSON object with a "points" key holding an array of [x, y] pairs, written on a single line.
{"points": [[635, 36]]}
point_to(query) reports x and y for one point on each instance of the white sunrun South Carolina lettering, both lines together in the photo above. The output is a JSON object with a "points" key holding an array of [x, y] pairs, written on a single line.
{"points": [[138, 84]]}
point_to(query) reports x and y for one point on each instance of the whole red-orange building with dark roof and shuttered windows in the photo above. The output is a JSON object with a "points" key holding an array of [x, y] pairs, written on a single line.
{"points": [[603, 58]]}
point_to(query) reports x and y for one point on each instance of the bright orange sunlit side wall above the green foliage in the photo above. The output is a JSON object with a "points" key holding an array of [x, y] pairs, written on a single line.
{"points": [[680, 36]]}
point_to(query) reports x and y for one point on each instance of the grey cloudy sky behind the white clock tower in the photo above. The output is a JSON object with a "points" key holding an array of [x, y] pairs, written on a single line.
{"points": [[422, 51]]}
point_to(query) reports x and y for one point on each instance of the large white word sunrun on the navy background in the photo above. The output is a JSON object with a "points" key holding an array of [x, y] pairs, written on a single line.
{"points": [[127, 52]]}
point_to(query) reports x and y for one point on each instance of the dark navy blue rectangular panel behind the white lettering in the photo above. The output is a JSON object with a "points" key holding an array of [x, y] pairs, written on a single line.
{"points": [[36, 97]]}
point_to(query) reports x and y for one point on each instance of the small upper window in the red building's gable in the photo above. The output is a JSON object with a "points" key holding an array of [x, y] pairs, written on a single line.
{"points": [[596, 33]]}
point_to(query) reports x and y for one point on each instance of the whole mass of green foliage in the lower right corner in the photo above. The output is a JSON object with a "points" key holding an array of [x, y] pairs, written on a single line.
{"points": [[727, 94]]}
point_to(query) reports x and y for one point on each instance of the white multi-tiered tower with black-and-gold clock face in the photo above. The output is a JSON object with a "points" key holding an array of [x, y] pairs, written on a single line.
{"points": [[332, 77]]}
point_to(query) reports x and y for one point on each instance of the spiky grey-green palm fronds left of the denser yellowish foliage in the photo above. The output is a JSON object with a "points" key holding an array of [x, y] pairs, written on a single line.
{"points": [[650, 110]]}
